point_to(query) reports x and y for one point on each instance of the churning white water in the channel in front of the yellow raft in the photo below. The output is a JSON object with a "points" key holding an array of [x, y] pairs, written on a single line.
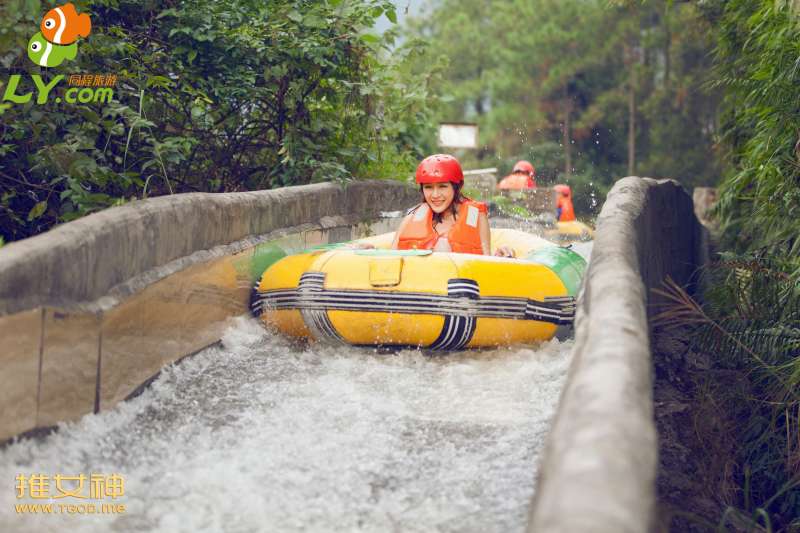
{"points": [[262, 435]]}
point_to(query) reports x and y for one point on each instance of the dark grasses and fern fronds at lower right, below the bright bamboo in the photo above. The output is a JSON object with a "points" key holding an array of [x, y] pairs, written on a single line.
{"points": [[750, 322]]}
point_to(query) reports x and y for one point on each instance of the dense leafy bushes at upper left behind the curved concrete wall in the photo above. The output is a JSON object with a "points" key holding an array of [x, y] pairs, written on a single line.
{"points": [[211, 96]]}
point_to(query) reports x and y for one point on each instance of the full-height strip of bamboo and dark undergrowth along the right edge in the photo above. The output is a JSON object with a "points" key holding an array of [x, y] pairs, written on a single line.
{"points": [[756, 301]]}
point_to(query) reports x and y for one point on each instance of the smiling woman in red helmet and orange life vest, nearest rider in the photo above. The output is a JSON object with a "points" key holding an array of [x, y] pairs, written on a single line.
{"points": [[445, 221]]}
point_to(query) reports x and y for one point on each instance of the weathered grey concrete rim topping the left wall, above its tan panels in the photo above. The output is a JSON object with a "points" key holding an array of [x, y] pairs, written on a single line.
{"points": [[82, 260]]}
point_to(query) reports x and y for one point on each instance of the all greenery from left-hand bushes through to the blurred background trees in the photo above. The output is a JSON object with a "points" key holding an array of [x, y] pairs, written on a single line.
{"points": [[227, 96]]}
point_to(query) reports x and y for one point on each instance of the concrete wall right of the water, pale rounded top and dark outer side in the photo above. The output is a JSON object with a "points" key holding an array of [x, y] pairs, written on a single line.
{"points": [[598, 469]]}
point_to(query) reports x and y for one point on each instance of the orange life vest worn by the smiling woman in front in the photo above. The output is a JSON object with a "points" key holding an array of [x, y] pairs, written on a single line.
{"points": [[464, 237]]}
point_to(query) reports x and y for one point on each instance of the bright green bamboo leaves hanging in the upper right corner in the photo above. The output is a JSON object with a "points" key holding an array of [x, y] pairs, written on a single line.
{"points": [[757, 64]]}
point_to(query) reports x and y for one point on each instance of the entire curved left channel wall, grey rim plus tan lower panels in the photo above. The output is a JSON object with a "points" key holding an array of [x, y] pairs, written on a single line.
{"points": [[94, 308]]}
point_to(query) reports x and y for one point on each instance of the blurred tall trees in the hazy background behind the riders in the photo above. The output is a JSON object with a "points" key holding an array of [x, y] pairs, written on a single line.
{"points": [[587, 90]]}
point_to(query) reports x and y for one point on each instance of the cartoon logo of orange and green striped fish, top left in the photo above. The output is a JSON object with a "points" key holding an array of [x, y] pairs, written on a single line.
{"points": [[56, 43]]}
